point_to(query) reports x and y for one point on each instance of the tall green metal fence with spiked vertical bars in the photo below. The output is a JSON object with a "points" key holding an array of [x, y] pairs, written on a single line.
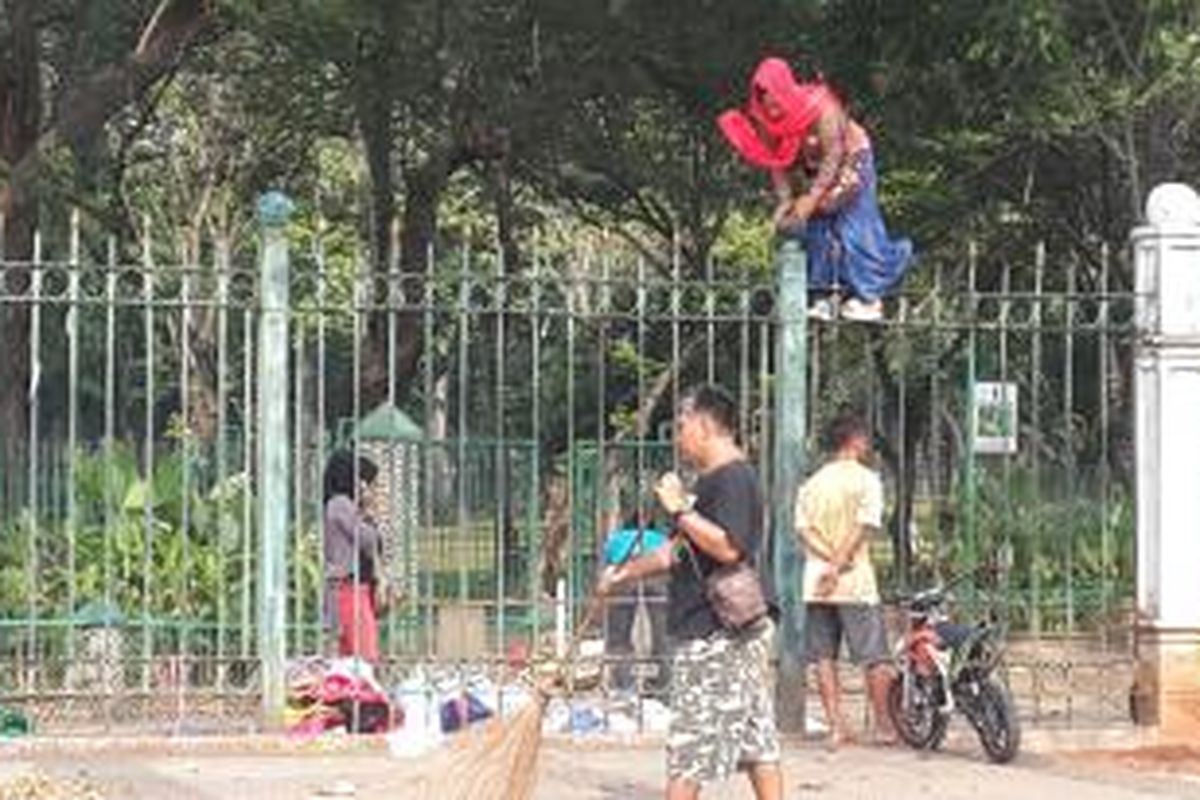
{"points": [[541, 395]]}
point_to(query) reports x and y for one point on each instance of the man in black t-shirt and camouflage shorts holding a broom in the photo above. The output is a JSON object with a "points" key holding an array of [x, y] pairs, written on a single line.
{"points": [[722, 708]]}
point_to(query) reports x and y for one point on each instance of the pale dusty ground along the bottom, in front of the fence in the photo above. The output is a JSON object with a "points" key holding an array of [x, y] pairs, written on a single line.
{"points": [[577, 771]]}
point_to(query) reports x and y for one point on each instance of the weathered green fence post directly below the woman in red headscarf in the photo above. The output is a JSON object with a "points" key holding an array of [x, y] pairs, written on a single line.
{"points": [[791, 393]]}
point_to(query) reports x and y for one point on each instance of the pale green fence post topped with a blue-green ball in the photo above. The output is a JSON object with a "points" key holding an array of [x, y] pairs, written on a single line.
{"points": [[273, 452]]}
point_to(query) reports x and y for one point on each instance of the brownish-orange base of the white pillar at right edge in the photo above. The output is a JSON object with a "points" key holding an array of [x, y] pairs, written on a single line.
{"points": [[1167, 685]]}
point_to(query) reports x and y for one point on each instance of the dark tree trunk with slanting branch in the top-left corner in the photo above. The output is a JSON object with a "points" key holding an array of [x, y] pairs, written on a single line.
{"points": [[41, 37]]}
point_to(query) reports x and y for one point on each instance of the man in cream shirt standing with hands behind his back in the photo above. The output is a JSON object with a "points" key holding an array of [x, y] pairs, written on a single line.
{"points": [[838, 510]]}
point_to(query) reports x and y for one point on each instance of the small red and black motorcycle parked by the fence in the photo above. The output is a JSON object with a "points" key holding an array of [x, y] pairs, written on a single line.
{"points": [[946, 667]]}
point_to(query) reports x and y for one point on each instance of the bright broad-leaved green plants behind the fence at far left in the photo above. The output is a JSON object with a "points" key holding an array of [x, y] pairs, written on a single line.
{"points": [[152, 548]]}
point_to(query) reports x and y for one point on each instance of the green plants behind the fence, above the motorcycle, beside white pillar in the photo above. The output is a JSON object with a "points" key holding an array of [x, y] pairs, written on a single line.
{"points": [[1070, 546]]}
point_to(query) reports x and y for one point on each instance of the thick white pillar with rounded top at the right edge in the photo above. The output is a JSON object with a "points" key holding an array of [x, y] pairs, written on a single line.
{"points": [[1167, 260]]}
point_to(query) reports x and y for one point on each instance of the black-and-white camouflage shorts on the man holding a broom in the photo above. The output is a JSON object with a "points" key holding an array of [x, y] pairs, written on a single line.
{"points": [[723, 712]]}
